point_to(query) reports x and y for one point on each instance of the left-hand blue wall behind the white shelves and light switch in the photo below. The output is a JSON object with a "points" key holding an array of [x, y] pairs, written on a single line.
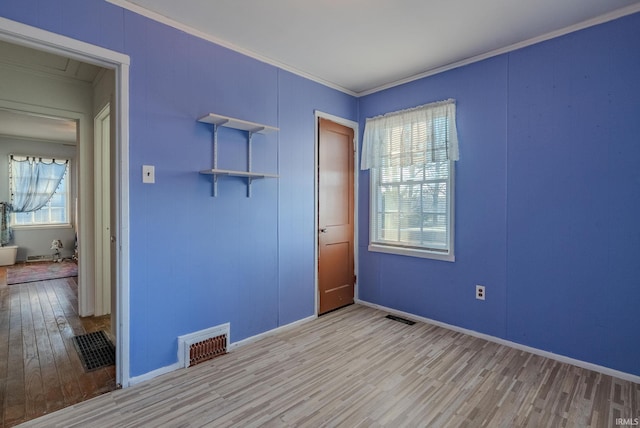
{"points": [[198, 261]]}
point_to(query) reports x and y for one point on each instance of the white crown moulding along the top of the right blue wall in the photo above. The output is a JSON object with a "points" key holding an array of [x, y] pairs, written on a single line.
{"points": [[619, 13]]}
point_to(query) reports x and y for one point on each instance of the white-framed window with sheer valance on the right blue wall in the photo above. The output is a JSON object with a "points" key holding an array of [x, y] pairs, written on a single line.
{"points": [[411, 156]]}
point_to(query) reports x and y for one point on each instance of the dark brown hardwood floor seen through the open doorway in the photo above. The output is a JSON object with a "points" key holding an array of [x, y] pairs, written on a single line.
{"points": [[40, 371]]}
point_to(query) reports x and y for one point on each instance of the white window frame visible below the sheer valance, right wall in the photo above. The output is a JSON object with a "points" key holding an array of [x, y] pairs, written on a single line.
{"points": [[412, 251]]}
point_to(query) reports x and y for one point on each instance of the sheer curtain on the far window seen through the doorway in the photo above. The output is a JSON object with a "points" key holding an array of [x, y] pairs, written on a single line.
{"points": [[34, 181]]}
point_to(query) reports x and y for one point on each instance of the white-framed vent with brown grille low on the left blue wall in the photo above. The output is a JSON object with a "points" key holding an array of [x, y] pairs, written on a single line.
{"points": [[203, 345]]}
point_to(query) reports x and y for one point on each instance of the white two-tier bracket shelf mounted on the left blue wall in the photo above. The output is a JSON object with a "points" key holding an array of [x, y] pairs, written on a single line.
{"points": [[251, 128]]}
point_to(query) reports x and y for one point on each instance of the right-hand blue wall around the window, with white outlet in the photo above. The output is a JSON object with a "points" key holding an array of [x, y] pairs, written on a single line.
{"points": [[547, 199]]}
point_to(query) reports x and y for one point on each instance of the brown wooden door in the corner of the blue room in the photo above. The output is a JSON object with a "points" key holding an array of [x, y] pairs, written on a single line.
{"points": [[336, 277]]}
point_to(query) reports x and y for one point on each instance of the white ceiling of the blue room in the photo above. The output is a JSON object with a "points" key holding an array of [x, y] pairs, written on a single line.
{"points": [[364, 45]]}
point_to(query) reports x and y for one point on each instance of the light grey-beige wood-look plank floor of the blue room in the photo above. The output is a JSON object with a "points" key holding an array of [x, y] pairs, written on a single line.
{"points": [[355, 368]]}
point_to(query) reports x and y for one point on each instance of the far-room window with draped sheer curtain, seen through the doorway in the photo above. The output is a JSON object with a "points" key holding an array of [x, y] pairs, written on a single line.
{"points": [[39, 191]]}
